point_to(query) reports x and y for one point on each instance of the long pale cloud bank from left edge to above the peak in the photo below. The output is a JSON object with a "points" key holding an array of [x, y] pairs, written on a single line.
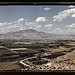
{"points": [[17, 25]]}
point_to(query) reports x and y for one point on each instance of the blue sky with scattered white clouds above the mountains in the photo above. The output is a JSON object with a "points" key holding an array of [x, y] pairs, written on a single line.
{"points": [[55, 19]]}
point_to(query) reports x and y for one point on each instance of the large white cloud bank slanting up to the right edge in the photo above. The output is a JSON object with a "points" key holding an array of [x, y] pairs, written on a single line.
{"points": [[64, 14]]}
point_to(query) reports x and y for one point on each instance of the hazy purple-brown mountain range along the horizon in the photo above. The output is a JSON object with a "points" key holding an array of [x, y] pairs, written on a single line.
{"points": [[33, 34]]}
